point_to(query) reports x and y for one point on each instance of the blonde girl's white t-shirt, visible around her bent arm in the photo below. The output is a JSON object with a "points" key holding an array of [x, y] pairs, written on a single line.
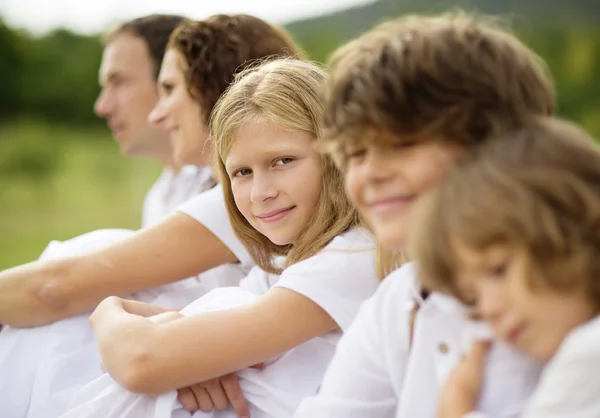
{"points": [[339, 279]]}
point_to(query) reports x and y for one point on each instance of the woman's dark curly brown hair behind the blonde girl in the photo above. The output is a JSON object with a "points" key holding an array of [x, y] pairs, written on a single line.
{"points": [[216, 49]]}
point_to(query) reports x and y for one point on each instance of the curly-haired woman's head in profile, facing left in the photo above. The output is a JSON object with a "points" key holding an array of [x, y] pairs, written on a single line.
{"points": [[202, 59]]}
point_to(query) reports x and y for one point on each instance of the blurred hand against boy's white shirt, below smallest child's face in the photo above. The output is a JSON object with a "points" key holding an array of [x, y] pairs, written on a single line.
{"points": [[461, 391]]}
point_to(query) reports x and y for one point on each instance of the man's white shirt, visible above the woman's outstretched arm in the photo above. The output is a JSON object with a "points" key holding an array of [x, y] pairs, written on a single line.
{"points": [[172, 189]]}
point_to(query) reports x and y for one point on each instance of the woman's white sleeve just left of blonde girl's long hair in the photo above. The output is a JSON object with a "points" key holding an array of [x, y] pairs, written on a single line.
{"points": [[208, 208]]}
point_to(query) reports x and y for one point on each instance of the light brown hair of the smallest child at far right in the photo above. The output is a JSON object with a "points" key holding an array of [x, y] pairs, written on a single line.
{"points": [[537, 190]]}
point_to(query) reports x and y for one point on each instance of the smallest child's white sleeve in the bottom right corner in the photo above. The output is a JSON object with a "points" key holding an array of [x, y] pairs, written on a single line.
{"points": [[570, 384]]}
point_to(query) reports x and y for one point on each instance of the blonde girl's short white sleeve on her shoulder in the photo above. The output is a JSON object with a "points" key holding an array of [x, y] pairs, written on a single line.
{"points": [[339, 278]]}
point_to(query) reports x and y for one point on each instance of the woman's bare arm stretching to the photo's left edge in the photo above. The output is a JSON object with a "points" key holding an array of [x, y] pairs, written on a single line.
{"points": [[42, 292]]}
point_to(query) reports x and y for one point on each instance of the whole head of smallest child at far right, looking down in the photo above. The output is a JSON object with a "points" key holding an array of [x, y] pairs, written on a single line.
{"points": [[516, 231]]}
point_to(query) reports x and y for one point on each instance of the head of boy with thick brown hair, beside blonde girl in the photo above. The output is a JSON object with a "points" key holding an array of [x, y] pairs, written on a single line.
{"points": [[409, 98]]}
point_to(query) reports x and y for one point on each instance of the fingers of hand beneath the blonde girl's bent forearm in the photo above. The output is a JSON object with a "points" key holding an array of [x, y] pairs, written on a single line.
{"points": [[215, 393]]}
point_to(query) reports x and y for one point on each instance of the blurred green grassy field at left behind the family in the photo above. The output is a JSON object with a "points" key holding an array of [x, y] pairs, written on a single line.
{"points": [[75, 181]]}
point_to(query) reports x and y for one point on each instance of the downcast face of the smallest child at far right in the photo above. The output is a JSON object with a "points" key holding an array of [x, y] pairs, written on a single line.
{"points": [[534, 319]]}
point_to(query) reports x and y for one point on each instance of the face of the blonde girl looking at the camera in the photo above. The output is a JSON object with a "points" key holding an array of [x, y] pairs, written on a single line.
{"points": [[276, 179]]}
